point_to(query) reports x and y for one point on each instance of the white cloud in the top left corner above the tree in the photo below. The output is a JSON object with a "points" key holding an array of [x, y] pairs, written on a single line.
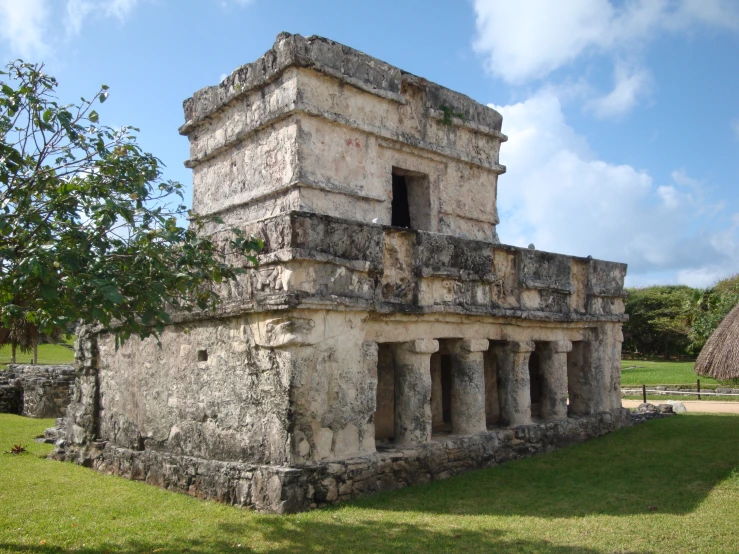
{"points": [[24, 27]]}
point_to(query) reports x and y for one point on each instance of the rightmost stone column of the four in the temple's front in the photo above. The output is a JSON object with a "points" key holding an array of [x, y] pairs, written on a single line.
{"points": [[553, 359]]}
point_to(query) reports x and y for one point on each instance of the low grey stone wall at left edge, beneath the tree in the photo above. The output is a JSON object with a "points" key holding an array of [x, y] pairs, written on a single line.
{"points": [[36, 390]]}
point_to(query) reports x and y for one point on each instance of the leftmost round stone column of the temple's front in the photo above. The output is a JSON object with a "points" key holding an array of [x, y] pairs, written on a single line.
{"points": [[413, 390]]}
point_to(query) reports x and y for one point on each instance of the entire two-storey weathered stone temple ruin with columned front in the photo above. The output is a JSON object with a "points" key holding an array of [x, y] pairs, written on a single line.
{"points": [[387, 338]]}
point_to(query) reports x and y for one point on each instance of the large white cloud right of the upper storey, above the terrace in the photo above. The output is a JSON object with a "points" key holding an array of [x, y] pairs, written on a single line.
{"points": [[559, 195]]}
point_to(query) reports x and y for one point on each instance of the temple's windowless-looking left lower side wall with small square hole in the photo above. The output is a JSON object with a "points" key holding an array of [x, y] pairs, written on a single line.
{"points": [[209, 391]]}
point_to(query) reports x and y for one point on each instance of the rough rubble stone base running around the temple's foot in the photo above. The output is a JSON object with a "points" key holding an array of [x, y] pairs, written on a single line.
{"points": [[292, 489]]}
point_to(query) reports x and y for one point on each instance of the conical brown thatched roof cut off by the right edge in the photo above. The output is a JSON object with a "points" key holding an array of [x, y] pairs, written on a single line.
{"points": [[719, 358]]}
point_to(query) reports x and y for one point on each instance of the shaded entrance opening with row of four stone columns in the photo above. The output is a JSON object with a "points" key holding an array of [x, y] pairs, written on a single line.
{"points": [[439, 387]]}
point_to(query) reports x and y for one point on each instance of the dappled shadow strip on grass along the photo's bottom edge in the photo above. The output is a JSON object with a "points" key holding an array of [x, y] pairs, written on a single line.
{"points": [[285, 537]]}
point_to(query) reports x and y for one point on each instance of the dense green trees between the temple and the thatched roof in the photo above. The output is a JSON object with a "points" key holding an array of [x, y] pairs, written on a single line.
{"points": [[676, 320]]}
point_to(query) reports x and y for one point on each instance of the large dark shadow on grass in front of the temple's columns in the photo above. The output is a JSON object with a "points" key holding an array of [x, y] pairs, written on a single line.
{"points": [[665, 466]]}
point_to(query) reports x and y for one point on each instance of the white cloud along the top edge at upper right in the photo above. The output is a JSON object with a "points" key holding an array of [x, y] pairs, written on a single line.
{"points": [[528, 39]]}
